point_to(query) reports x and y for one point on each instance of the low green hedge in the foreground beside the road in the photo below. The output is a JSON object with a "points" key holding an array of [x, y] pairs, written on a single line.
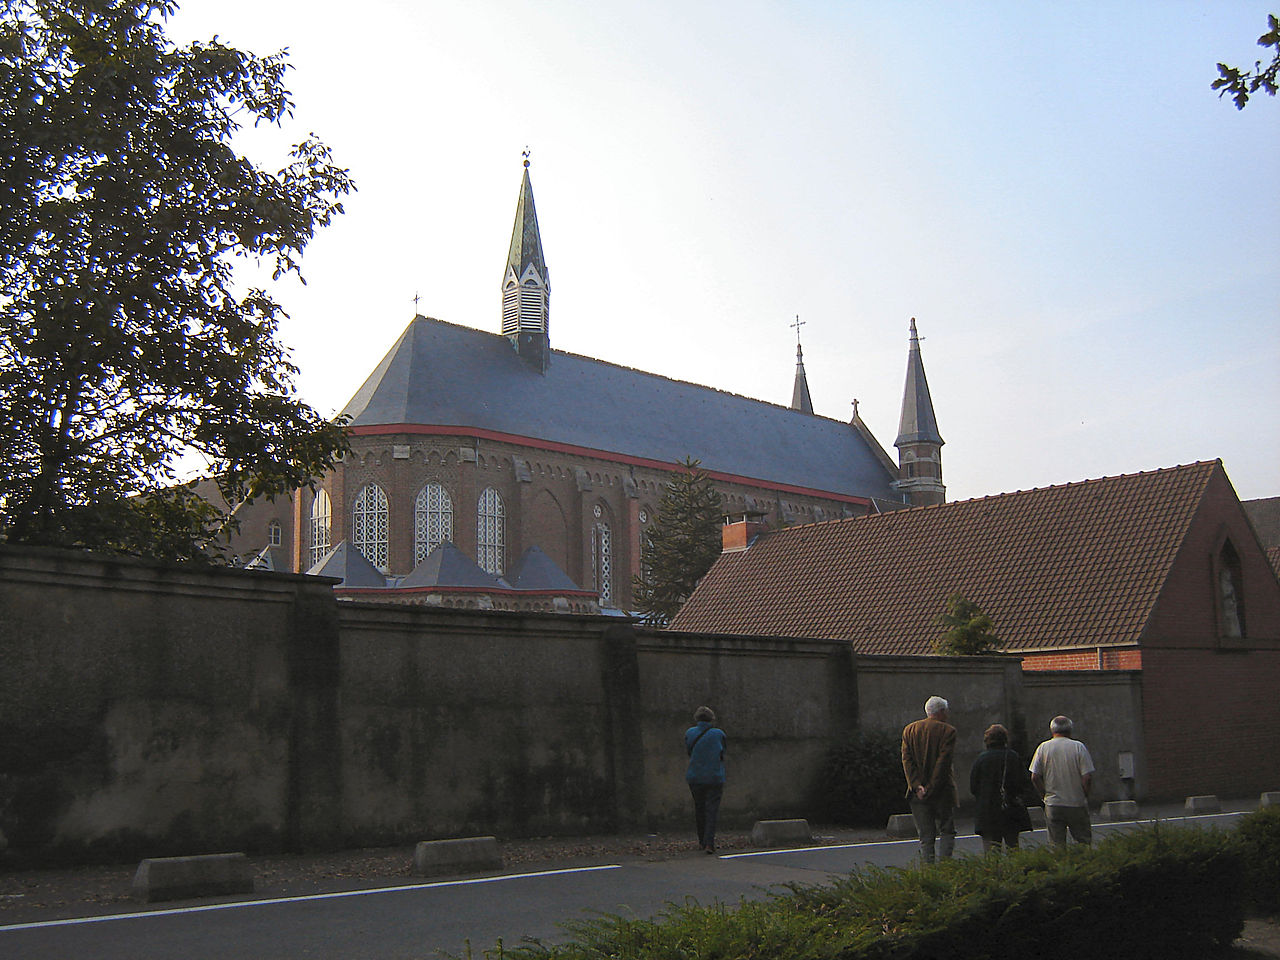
{"points": [[1162, 894]]}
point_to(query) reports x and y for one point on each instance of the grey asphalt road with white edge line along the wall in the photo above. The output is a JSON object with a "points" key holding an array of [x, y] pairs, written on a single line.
{"points": [[424, 921]]}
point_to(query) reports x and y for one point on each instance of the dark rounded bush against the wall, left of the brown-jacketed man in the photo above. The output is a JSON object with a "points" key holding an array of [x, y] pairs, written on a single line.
{"points": [[862, 781]]}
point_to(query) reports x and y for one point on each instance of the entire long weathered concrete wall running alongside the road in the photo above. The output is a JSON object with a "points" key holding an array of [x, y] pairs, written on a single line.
{"points": [[153, 711]]}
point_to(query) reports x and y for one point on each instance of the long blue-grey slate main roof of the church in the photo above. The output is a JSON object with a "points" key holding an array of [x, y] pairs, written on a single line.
{"points": [[449, 376]]}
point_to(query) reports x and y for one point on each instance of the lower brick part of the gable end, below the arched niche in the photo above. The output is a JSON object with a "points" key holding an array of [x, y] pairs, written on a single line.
{"points": [[1212, 720]]}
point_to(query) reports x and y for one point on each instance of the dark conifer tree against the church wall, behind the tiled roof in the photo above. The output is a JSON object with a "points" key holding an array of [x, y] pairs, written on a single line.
{"points": [[682, 545]]}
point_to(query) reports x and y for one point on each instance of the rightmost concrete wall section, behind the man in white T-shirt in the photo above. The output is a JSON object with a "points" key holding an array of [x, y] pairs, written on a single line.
{"points": [[1107, 711]]}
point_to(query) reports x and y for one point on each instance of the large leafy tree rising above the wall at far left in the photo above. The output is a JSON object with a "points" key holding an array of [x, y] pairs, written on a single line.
{"points": [[125, 342]]}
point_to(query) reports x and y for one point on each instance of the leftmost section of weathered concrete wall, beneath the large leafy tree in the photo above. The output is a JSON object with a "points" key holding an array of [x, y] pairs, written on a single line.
{"points": [[141, 702]]}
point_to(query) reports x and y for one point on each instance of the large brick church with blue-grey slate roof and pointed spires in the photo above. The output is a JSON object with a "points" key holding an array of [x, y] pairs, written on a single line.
{"points": [[497, 444]]}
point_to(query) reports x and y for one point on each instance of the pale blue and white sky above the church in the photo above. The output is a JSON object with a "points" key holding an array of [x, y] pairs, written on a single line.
{"points": [[1085, 234]]}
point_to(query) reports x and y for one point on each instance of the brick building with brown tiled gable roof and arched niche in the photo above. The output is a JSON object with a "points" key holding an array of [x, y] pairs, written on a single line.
{"points": [[1158, 574]]}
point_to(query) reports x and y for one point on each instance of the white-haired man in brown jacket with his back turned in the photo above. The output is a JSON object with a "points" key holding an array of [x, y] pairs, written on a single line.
{"points": [[929, 747]]}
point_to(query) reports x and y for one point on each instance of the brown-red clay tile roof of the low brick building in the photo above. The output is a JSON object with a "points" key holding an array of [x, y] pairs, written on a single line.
{"points": [[1062, 566]]}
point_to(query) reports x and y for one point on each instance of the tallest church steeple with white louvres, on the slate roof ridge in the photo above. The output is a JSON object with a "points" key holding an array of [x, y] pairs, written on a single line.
{"points": [[527, 285]]}
